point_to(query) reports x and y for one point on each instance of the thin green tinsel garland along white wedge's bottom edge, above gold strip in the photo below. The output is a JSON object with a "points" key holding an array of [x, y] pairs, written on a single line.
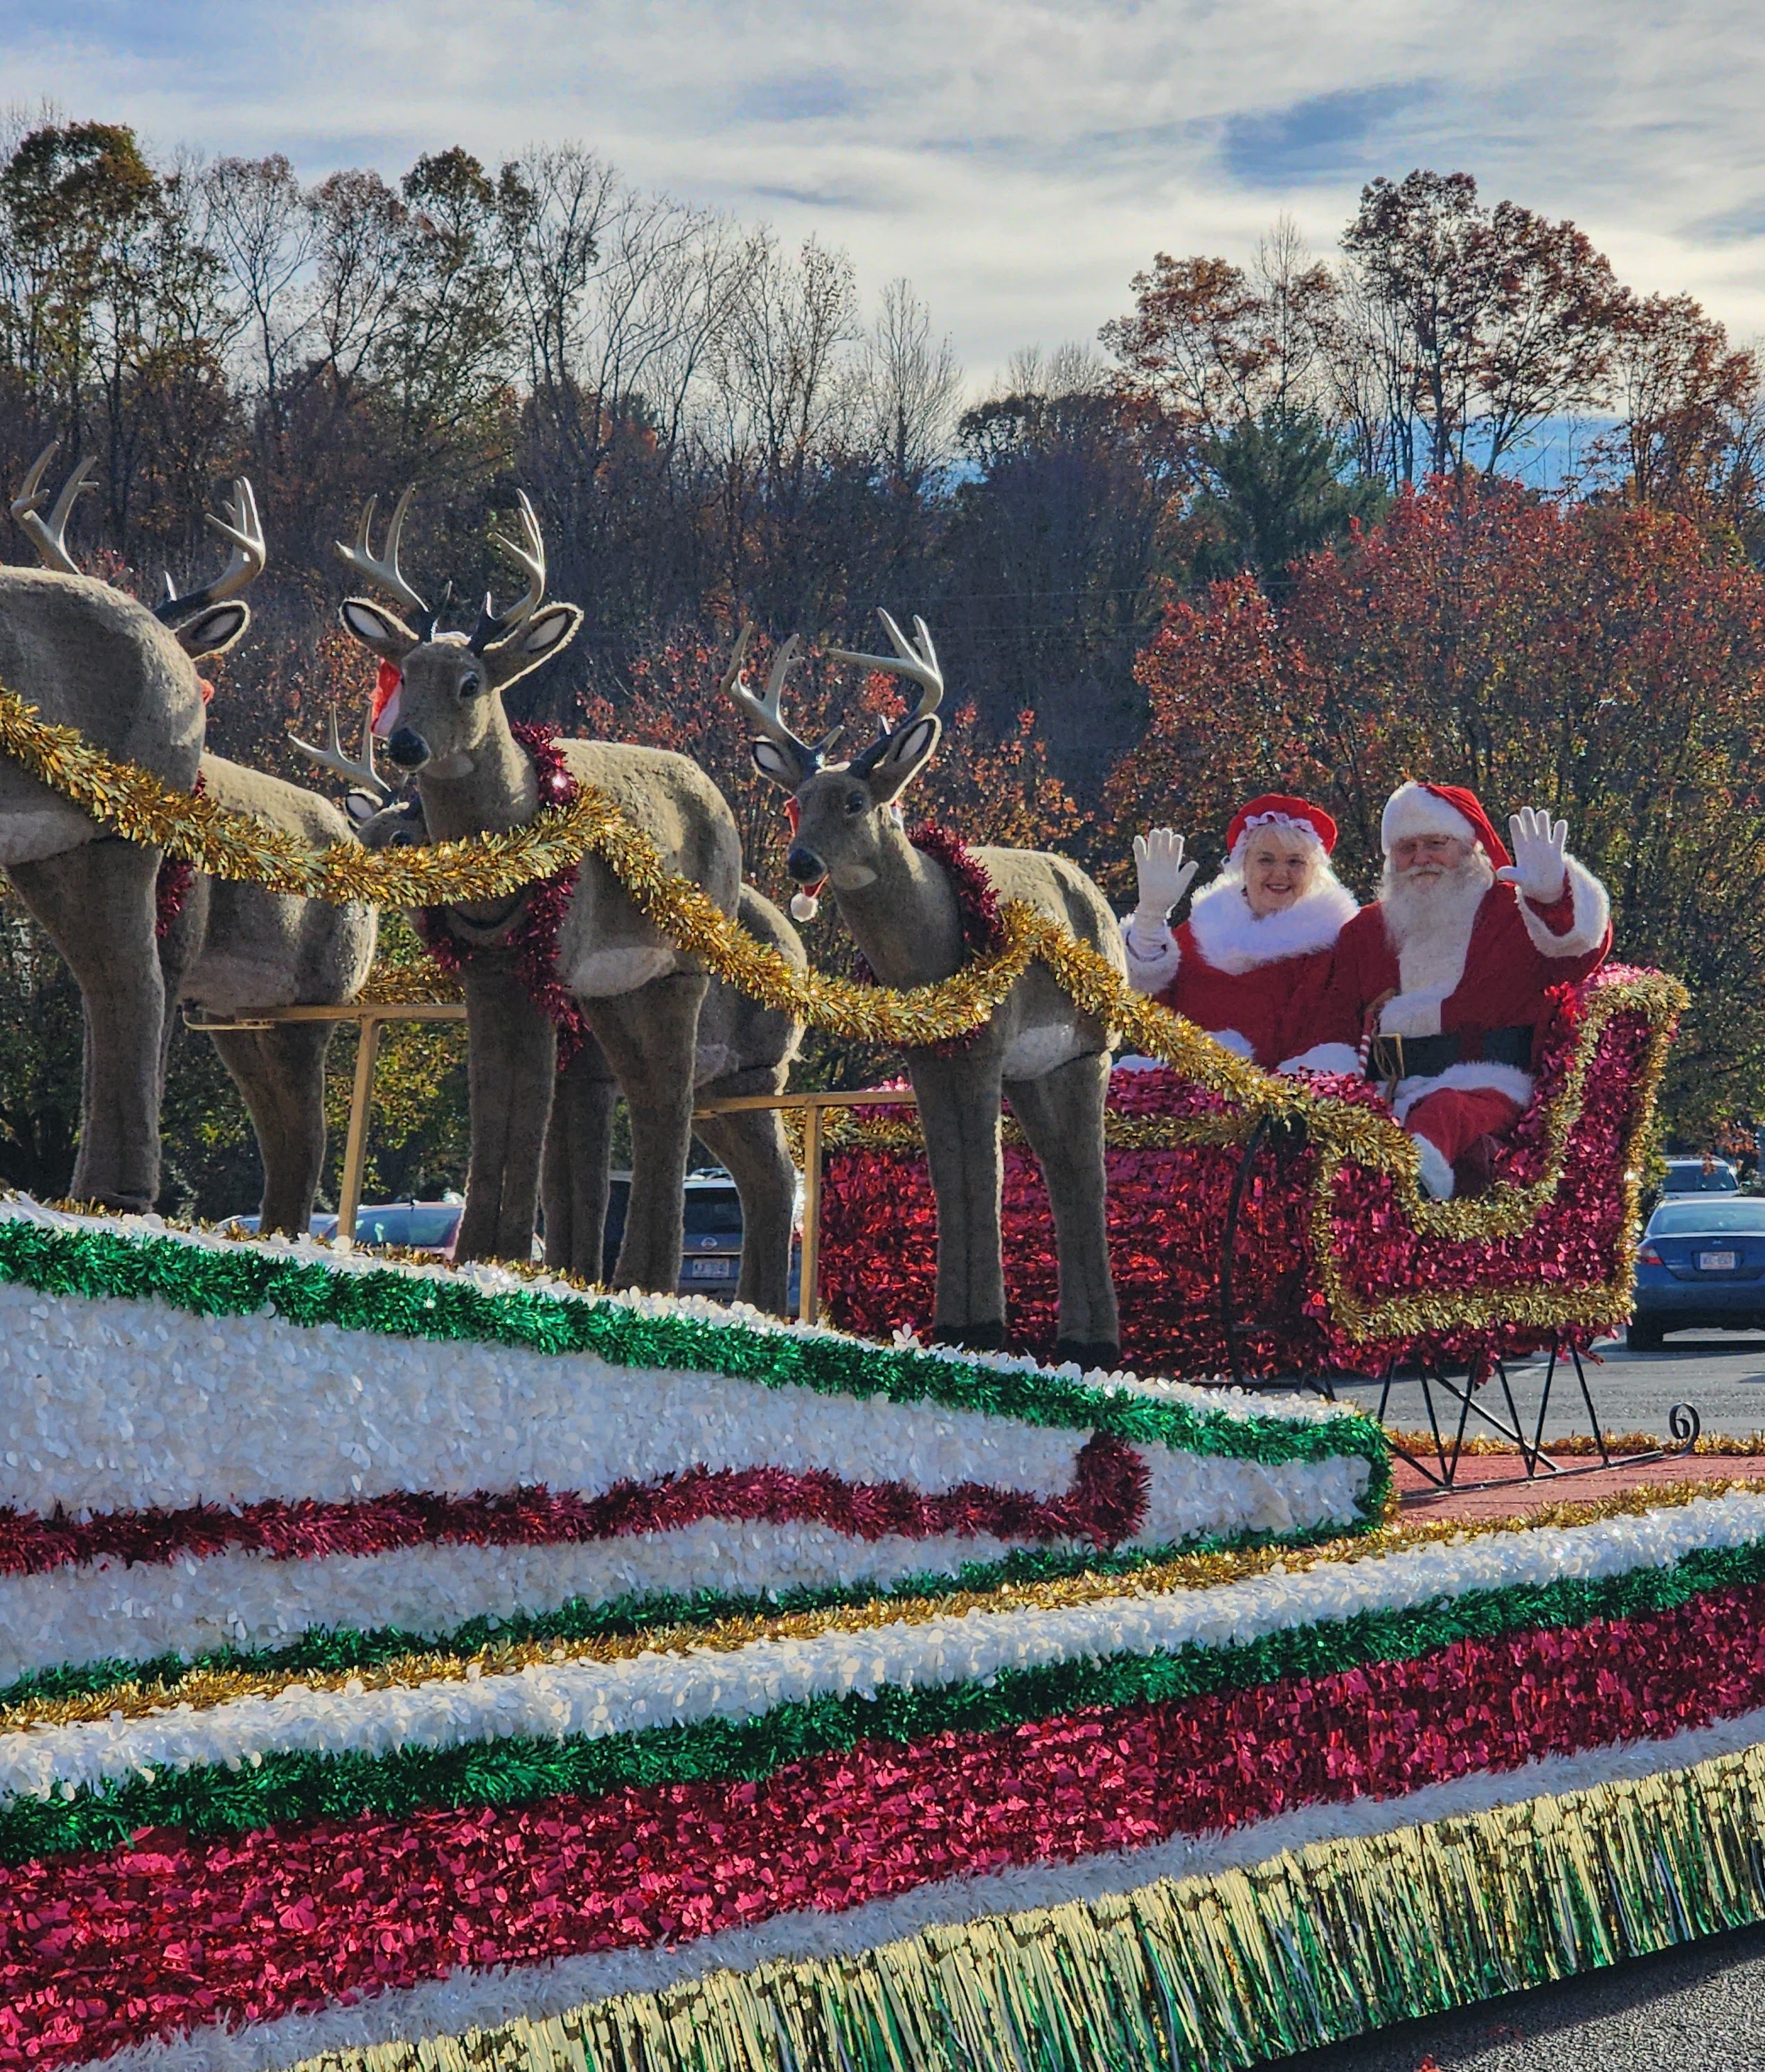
{"points": [[583, 1619]]}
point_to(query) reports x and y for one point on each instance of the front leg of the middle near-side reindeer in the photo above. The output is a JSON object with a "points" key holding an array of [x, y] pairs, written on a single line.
{"points": [[511, 1072]]}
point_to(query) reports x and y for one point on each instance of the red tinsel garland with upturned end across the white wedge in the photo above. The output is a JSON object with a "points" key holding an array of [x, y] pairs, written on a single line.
{"points": [[1103, 1507]]}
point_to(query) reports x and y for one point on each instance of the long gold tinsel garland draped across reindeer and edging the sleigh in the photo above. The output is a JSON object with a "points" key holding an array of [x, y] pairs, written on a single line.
{"points": [[488, 867]]}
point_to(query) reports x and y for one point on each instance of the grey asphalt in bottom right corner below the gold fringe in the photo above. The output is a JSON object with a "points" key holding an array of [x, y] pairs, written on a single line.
{"points": [[1702, 2009]]}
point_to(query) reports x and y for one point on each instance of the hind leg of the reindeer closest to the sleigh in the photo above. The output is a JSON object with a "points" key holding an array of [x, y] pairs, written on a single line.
{"points": [[1064, 1120]]}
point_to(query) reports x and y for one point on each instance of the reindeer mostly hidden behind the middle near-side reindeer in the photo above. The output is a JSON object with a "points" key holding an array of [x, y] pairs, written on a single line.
{"points": [[741, 1049]]}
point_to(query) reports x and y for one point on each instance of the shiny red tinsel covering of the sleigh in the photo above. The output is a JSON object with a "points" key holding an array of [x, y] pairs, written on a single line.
{"points": [[1167, 1217]]}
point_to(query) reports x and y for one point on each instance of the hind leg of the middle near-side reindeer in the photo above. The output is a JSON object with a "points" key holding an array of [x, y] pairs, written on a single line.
{"points": [[649, 1039]]}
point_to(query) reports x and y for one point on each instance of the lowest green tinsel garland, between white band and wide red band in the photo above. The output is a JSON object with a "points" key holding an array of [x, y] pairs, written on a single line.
{"points": [[301, 1787]]}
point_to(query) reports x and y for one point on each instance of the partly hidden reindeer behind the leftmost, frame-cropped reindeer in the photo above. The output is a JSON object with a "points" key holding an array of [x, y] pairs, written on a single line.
{"points": [[237, 950]]}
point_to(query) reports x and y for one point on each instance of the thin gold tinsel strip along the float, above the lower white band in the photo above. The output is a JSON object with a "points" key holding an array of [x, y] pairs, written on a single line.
{"points": [[204, 1688]]}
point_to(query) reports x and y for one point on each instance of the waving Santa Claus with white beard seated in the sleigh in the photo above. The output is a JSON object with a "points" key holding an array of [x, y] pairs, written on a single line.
{"points": [[1439, 989]]}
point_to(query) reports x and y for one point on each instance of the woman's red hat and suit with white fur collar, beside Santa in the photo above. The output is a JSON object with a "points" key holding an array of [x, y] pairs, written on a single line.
{"points": [[1256, 983]]}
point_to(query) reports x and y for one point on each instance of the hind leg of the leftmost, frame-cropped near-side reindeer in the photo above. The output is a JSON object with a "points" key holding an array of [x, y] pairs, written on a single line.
{"points": [[96, 904]]}
